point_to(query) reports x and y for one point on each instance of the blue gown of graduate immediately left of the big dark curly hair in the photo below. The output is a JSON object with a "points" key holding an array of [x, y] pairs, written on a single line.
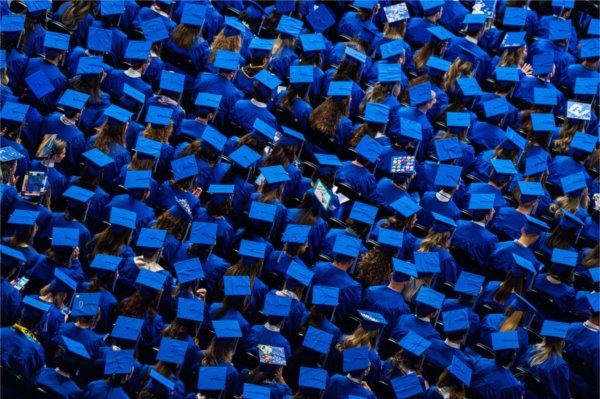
{"points": [[350, 291]]}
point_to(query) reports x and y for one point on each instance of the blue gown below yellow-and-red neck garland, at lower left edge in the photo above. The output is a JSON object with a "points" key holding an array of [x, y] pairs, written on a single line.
{"points": [[21, 353]]}
